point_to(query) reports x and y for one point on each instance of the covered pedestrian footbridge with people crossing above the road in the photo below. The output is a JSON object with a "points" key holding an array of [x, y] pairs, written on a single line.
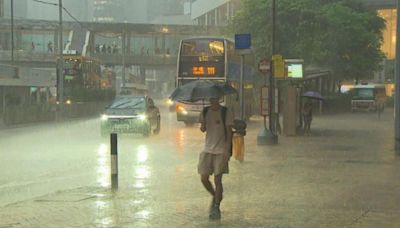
{"points": [[147, 45]]}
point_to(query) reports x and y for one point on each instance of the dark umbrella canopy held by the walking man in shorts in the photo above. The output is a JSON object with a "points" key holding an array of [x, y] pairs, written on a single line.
{"points": [[201, 90]]}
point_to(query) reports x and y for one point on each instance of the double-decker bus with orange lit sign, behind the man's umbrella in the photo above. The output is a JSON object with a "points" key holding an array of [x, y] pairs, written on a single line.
{"points": [[209, 58]]}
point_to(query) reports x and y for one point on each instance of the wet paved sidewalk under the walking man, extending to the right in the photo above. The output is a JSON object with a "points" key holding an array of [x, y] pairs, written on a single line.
{"points": [[345, 174]]}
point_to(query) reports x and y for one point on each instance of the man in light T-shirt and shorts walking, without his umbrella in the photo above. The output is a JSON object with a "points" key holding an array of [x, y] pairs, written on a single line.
{"points": [[217, 150]]}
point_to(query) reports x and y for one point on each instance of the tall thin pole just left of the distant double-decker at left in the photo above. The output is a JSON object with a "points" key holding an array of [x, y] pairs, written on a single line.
{"points": [[61, 61]]}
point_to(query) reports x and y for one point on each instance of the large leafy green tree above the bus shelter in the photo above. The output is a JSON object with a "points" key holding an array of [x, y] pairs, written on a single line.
{"points": [[341, 35]]}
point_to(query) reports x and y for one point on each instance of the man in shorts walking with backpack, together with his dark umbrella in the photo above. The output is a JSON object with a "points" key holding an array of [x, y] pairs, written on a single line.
{"points": [[217, 122]]}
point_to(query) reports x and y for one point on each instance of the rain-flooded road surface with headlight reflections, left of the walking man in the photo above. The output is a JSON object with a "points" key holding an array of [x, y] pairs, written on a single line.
{"points": [[45, 158]]}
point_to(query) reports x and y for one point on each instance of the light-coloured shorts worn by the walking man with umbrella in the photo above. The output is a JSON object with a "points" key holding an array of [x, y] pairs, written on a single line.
{"points": [[212, 164]]}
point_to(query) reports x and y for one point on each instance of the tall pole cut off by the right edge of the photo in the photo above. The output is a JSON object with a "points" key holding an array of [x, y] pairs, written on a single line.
{"points": [[397, 88]]}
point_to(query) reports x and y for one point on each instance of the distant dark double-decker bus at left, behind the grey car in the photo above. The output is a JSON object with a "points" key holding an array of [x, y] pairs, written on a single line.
{"points": [[83, 78]]}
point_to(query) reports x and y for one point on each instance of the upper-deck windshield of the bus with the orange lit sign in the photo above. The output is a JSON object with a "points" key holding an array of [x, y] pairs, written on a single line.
{"points": [[202, 47]]}
